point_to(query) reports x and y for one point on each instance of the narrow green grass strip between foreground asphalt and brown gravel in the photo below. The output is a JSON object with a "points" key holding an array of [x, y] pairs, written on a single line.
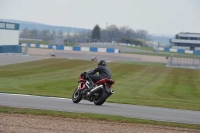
{"points": [[10, 110]]}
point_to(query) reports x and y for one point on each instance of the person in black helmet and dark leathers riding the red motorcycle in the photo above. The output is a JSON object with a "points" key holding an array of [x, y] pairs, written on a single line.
{"points": [[104, 72]]}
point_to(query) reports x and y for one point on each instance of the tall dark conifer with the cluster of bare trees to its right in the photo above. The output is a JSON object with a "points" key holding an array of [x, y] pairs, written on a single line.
{"points": [[122, 34]]}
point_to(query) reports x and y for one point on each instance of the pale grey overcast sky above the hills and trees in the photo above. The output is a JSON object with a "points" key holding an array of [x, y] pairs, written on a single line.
{"points": [[155, 16]]}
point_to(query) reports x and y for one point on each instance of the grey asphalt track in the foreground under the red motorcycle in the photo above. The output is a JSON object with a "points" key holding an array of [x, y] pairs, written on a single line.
{"points": [[130, 111]]}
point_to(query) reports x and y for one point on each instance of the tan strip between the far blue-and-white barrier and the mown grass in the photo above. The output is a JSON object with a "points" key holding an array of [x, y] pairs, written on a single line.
{"points": [[81, 55]]}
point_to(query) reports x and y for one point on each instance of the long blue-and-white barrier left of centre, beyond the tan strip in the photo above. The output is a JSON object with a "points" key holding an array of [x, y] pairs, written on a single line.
{"points": [[75, 48]]}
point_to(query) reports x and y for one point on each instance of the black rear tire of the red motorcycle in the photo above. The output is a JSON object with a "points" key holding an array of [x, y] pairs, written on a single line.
{"points": [[99, 101]]}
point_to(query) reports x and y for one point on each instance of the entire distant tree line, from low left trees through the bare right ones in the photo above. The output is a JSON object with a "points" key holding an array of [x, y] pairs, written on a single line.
{"points": [[111, 33]]}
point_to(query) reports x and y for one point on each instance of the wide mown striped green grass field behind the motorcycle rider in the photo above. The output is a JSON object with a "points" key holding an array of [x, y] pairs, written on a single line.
{"points": [[136, 83]]}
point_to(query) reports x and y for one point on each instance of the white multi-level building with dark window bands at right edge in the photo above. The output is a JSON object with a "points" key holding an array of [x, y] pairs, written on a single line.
{"points": [[186, 40]]}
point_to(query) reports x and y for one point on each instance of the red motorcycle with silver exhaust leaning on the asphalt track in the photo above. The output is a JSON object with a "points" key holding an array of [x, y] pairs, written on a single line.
{"points": [[94, 92]]}
